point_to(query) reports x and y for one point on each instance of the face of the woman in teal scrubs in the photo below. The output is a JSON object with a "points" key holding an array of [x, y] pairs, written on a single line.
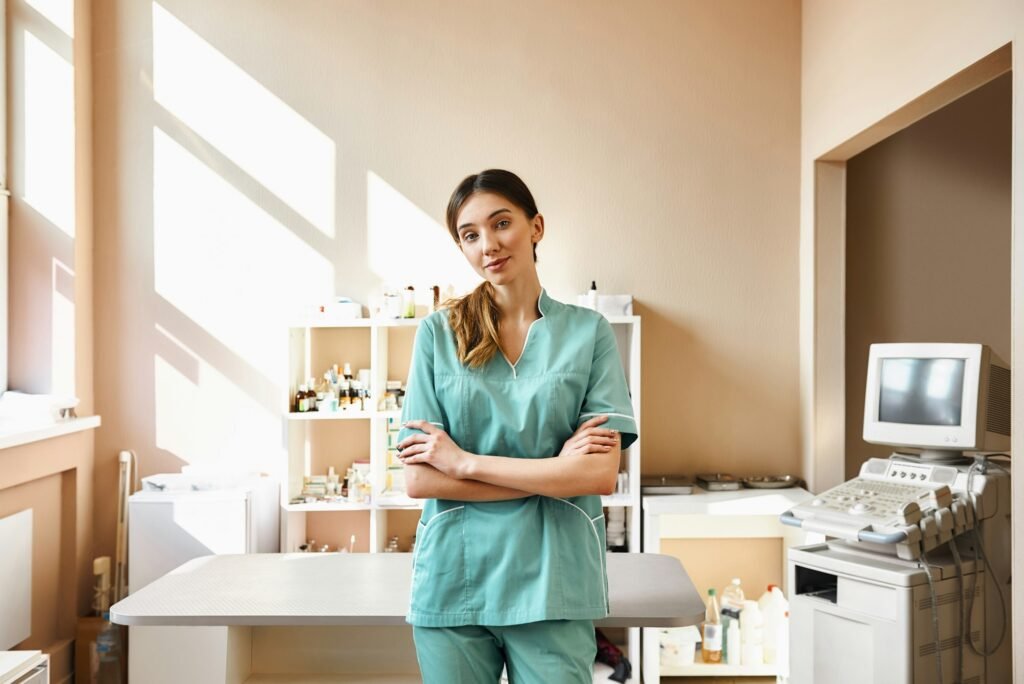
{"points": [[497, 238]]}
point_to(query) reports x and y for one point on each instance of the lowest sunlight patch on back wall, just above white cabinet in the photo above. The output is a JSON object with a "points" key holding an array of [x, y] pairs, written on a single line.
{"points": [[211, 420]]}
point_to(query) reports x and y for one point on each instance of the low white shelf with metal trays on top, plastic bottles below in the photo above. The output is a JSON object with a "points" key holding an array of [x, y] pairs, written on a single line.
{"points": [[740, 515]]}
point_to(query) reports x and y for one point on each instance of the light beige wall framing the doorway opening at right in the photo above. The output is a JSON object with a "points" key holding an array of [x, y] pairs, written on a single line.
{"points": [[863, 63]]}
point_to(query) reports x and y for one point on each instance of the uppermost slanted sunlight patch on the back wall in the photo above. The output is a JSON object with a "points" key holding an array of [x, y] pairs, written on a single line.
{"points": [[246, 122]]}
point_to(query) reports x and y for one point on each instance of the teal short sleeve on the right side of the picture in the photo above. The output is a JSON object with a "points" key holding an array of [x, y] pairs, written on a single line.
{"points": [[608, 394]]}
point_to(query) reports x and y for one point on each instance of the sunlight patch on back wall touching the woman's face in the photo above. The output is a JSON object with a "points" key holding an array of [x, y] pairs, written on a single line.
{"points": [[407, 247]]}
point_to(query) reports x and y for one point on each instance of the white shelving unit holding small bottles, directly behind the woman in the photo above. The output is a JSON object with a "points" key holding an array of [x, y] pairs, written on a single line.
{"points": [[318, 441]]}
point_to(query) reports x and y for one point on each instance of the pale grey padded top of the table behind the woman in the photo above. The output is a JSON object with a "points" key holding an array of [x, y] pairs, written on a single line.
{"points": [[646, 590]]}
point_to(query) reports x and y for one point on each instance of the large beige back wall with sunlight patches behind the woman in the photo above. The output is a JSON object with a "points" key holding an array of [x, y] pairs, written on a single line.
{"points": [[660, 140]]}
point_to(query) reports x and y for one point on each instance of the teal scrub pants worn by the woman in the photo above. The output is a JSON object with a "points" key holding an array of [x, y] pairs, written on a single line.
{"points": [[553, 652]]}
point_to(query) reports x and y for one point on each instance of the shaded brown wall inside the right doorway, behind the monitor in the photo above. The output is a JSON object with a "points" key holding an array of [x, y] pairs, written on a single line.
{"points": [[928, 241]]}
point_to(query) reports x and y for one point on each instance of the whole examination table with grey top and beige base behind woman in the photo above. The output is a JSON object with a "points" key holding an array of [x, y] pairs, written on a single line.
{"points": [[306, 618]]}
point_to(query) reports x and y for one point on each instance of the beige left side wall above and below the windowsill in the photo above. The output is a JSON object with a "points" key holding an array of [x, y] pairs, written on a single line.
{"points": [[51, 300]]}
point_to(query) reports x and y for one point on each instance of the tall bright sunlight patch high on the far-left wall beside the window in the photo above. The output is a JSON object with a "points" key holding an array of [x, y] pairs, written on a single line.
{"points": [[50, 135]]}
